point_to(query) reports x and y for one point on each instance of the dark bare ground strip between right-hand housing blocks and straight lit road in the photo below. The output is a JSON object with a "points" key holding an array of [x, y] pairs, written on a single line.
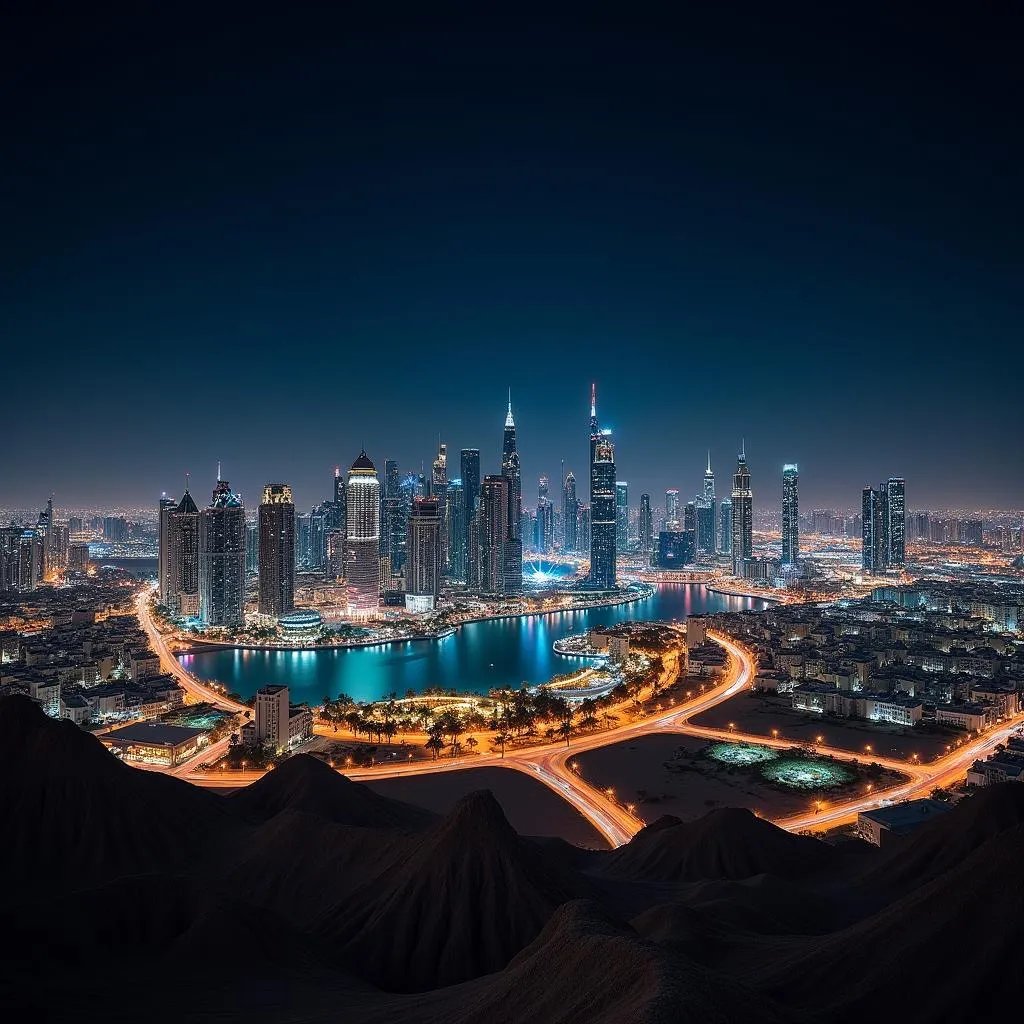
{"points": [[760, 714]]}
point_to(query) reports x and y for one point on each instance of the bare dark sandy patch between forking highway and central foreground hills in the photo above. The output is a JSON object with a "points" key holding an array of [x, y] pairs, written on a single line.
{"points": [[531, 807]]}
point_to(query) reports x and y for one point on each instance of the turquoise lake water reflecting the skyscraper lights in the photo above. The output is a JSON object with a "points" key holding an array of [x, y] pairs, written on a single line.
{"points": [[479, 658]]}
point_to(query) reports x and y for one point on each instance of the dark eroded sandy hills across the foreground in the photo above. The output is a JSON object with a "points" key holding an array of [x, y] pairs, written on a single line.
{"points": [[308, 898]]}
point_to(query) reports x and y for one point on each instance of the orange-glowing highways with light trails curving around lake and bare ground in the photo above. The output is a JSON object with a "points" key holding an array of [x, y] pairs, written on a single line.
{"points": [[549, 763]]}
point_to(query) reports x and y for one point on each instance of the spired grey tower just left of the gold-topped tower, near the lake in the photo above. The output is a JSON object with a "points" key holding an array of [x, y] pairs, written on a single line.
{"points": [[223, 560]]}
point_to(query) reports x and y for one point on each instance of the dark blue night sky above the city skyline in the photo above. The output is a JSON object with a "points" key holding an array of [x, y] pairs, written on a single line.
{"points": [[272, 241]]}
